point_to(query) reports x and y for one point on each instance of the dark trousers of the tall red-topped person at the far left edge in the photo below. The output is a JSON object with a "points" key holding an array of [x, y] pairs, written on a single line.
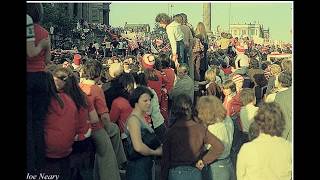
{"points": [[38, 101]]}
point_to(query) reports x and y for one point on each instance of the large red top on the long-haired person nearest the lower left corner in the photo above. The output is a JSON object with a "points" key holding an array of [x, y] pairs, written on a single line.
{"points": [[60, 127]]}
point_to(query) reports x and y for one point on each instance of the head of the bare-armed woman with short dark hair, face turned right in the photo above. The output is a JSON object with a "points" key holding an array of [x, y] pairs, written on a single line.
{"points": [[140, 98]]}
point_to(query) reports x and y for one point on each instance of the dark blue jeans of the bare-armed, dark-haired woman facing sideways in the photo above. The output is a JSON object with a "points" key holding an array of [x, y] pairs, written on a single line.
{"points": [[140, 169]]}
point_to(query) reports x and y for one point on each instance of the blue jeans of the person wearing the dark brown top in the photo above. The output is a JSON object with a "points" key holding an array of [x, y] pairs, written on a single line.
{"points": [[184, 173]]}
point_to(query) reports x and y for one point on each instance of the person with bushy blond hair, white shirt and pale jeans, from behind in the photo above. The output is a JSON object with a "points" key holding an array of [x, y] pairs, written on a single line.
{"points": [[214, 116]]}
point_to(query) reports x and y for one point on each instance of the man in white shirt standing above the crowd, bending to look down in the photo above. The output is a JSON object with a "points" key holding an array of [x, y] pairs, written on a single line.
{"points": [[175, 36]]}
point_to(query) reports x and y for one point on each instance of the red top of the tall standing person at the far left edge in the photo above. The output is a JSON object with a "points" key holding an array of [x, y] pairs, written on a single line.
{"points": [[37, 63]]}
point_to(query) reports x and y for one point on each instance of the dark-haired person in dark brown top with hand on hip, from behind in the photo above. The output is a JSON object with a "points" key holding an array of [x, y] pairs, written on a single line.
{"points": [[183, 148]]}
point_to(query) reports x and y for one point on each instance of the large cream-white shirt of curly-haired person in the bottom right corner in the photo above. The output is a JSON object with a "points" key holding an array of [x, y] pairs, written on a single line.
{"points": [[265, 158]]}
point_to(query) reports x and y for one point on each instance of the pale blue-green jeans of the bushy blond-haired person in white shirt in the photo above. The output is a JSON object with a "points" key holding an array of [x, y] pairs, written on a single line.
{"points": [[220, 170]]}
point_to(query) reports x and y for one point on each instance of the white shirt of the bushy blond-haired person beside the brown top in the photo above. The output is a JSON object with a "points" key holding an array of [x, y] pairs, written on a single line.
{"points": [[224, 132]]}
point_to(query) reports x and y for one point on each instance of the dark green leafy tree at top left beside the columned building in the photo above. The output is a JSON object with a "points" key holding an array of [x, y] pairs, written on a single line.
{"points": [[55, 15]]}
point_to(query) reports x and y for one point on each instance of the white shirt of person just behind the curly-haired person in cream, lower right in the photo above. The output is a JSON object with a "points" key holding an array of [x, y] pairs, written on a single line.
{"points": [[247, 114]]}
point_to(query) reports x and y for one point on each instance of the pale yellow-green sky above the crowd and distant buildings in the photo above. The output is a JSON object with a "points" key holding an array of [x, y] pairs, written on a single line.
{"points": [[274, 15]]}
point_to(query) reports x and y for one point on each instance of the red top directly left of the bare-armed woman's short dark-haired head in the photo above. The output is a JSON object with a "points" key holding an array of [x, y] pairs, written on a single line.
{"points": [[120, 111]]}
